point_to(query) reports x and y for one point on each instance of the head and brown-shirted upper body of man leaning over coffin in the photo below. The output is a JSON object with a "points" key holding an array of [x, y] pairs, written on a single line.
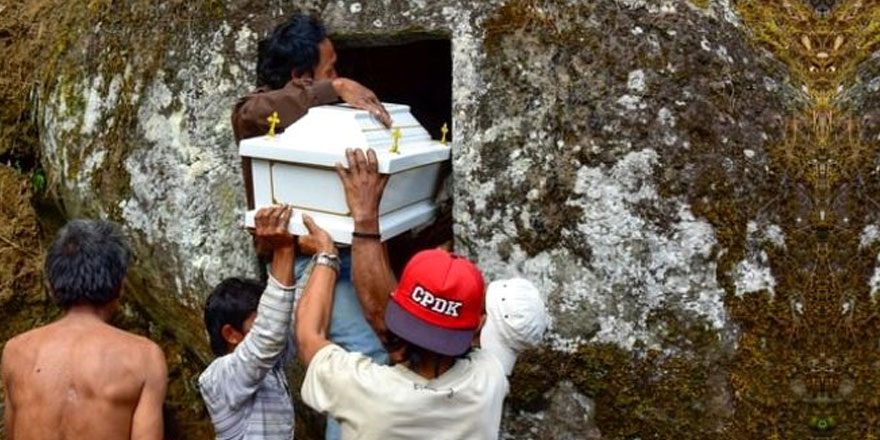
{"points": [[296, 70]]}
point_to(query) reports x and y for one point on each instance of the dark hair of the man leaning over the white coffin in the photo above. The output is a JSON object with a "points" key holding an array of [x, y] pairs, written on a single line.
{"points": [[292, 46]]}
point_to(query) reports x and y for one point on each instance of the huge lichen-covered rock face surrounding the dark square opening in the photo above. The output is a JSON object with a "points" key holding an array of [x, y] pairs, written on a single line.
{"points": [[646, 162]]}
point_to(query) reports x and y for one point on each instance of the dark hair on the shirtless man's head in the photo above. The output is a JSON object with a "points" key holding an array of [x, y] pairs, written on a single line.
{"points": [[86, 263]]}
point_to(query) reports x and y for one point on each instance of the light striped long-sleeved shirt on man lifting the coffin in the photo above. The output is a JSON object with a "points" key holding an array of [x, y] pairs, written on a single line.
{"points": [[245, 391]]}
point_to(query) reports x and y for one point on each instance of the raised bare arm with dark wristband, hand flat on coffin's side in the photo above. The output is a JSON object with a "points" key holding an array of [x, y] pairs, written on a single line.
{"points": [[372, 276]]}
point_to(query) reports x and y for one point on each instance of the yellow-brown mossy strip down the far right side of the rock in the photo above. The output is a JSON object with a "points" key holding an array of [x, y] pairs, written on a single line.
{"points": [[794, 358]]}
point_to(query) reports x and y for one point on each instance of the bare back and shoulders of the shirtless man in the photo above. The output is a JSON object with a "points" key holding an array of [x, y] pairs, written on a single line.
{"points": [[77, 379]]}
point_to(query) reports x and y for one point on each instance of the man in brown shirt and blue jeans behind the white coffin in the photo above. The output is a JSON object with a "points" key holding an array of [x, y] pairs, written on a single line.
{"points": [[296, 70]]}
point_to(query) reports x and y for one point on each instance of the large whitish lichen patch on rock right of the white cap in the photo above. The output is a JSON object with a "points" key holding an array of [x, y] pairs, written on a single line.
{"points": [[636, 268]]}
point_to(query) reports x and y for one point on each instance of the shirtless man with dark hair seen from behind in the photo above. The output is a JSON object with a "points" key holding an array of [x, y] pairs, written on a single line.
{"points": [[79, 377]]}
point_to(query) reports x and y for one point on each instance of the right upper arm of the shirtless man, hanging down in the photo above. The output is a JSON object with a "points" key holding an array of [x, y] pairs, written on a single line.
{"points": [[147, 421]]}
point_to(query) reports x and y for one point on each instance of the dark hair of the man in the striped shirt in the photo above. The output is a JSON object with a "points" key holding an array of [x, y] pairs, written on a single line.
{"points": [[231, 302]]}
